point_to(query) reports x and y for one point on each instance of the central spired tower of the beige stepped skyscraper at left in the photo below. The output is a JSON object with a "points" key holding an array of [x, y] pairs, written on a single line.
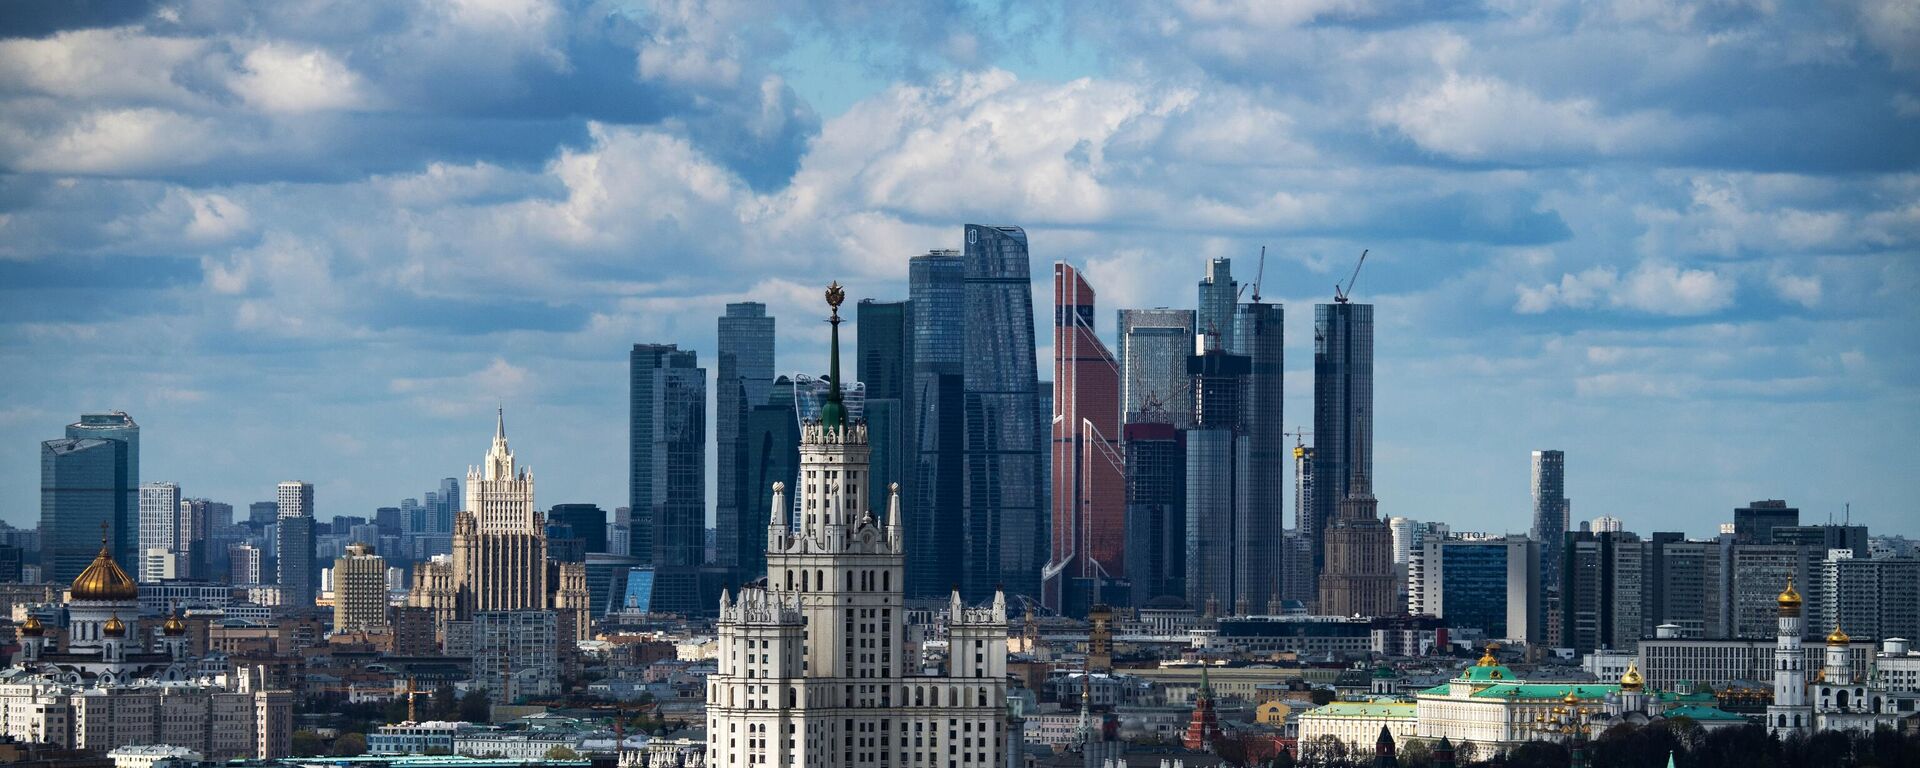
{"points": [[500, 540]]}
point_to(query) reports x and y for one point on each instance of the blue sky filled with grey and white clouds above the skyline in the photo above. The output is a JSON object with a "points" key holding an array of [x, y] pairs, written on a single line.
{"points": [[325, 241]]}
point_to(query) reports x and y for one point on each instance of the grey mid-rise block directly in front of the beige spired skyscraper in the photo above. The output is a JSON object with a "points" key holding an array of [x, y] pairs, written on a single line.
{"points": [[514, 654]]}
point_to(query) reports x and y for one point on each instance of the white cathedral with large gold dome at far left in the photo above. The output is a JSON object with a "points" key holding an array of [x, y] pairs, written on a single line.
{"points": [[103, 640]]}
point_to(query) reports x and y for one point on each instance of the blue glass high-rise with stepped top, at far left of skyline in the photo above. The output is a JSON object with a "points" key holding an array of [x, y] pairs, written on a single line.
{"points": [[82, 491]]}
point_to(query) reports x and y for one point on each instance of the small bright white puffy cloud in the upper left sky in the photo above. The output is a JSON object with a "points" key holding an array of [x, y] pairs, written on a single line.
{"points": [[281, 78]]}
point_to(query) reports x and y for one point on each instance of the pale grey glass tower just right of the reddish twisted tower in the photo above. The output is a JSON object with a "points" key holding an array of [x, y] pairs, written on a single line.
{"points": [[1153, 362]]}
